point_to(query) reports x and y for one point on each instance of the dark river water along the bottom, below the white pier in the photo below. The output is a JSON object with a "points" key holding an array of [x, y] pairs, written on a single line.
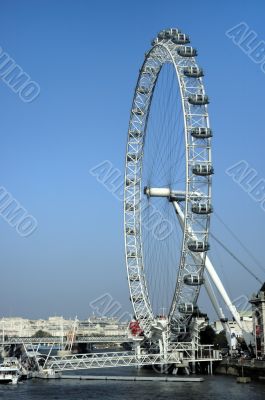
{"points": [[214, 387]]}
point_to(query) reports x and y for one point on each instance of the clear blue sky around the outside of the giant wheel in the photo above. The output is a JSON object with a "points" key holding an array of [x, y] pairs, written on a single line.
{"points": [[85, 56]]}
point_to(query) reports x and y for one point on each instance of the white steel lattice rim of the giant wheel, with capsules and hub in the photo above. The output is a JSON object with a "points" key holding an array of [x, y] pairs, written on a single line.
{"points": [[170, 47]]}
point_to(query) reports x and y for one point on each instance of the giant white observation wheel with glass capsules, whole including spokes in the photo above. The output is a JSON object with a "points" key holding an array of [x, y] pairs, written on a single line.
{"points": [[167, 190]]}
